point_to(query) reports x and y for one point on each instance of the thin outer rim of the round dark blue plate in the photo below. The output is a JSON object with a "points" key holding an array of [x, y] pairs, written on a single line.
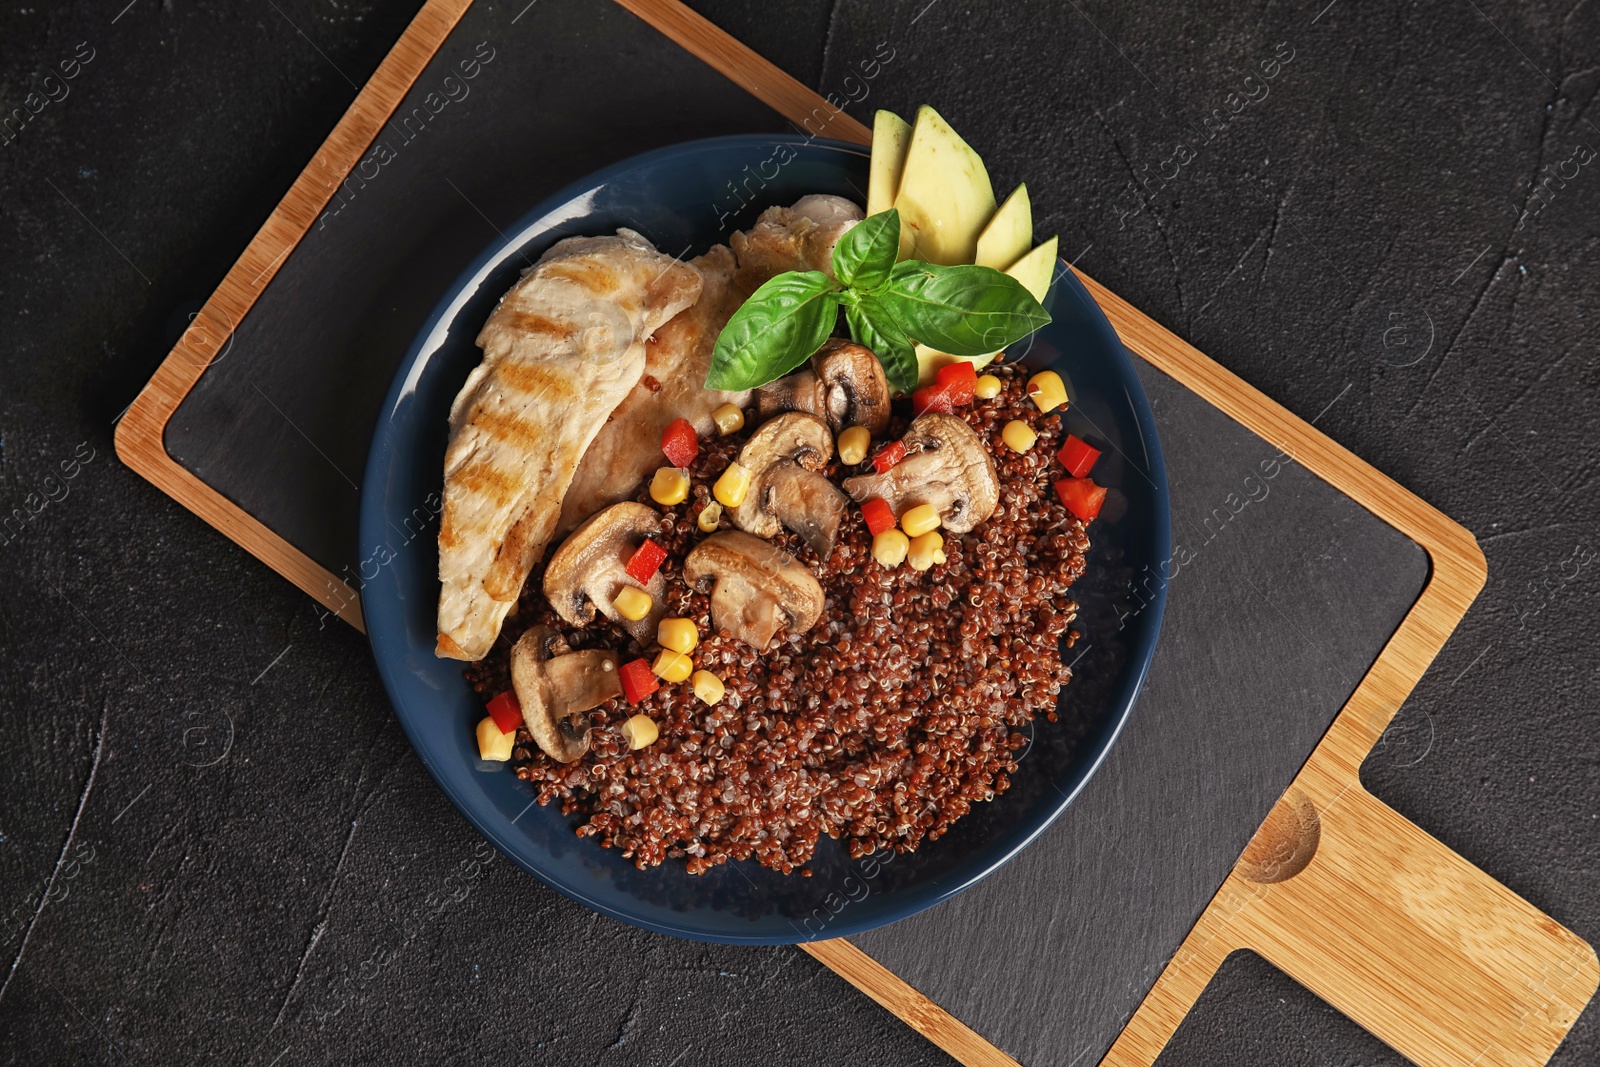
{"points": [[370, 519]]}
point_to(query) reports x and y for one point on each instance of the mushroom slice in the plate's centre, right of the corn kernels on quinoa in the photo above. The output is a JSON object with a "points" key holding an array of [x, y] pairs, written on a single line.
{"points": [[756, 588]]}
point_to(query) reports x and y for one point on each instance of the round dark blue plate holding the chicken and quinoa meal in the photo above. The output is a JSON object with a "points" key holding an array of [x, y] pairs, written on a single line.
{"points": [[686, 199]]}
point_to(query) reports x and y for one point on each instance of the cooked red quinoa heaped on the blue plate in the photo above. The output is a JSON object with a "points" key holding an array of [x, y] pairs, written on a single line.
{"points": [[879, 727]]}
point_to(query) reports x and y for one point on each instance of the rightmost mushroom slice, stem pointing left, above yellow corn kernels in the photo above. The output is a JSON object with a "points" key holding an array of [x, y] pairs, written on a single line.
{"points": [[946, 465]]}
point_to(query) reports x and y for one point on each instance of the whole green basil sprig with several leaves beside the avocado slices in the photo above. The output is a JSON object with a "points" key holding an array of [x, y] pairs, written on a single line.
{"points": [[889, 308]]}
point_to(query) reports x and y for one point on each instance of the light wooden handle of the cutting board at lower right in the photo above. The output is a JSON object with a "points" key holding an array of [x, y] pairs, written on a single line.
{"points": [[1407, 938]]}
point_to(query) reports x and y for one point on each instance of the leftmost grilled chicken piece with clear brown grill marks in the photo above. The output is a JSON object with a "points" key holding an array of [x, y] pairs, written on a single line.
{"points": [[561, 351]]}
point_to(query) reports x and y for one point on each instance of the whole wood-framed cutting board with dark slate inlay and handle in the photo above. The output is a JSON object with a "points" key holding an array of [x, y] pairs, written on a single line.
{"points": [[1335, 889]]}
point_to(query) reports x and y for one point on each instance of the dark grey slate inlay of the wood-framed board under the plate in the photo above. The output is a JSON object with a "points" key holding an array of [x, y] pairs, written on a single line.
{"points": [[1286, 591]]}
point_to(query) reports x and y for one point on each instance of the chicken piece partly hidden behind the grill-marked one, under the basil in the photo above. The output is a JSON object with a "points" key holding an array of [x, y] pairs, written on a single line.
{"points": [[678, 359]]}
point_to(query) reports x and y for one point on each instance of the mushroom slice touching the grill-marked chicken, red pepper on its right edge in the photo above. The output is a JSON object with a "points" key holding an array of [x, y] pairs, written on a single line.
{"points": [[591, 569]]}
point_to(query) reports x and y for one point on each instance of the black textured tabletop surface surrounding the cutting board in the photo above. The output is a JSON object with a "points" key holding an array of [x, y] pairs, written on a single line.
{"points": [[311, 898]]}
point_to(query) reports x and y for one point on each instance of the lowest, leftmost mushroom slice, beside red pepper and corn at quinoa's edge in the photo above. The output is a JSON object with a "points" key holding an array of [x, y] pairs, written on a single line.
{"points": [[556, 687]]}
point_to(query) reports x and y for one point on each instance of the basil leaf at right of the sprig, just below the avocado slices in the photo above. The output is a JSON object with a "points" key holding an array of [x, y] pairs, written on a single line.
{"points": [[962, 311]]}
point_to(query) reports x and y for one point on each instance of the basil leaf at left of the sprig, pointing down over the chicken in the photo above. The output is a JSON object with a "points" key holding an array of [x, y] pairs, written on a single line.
{"points": [[775, 332]]}
